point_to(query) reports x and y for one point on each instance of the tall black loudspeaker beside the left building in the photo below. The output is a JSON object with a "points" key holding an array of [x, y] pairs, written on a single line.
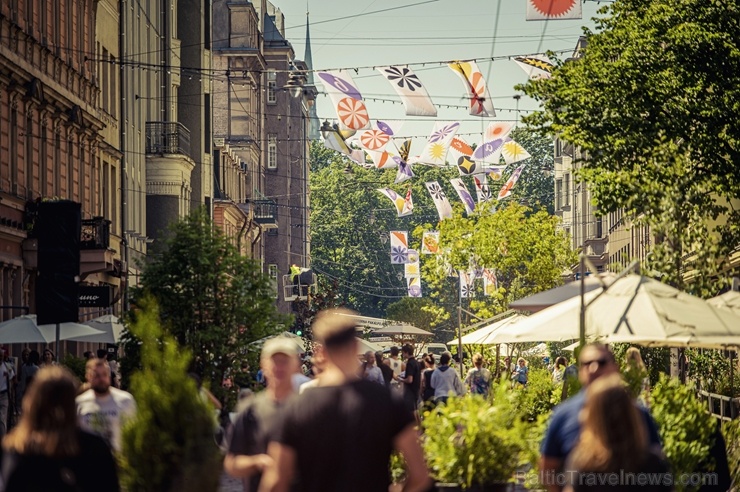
{"points": [[58, 229]]}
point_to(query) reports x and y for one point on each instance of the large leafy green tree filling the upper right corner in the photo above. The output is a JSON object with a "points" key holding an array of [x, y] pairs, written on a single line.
{"points": [[652, 103]]}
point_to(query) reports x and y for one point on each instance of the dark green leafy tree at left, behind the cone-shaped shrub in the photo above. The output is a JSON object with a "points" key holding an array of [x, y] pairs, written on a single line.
{"points": [[213, 300]]}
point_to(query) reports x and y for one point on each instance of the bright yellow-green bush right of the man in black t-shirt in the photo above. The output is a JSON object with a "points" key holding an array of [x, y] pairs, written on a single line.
{"points": [[470, 441]]}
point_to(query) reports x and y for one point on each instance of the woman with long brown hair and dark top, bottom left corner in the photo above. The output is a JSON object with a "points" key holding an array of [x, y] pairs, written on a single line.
{"points": [[47, 451]]}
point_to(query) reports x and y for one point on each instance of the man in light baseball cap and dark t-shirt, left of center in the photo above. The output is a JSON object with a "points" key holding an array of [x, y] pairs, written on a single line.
{"points": [[247, 443]]}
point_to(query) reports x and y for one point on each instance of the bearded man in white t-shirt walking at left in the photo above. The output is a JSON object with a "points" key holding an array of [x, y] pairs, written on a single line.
{"points": [[102, 409]]}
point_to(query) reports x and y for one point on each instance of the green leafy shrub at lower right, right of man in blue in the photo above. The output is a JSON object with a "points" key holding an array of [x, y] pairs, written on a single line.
{"points": [[685, 428]]}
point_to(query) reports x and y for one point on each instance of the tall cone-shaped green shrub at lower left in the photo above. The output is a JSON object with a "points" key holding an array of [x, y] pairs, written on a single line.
{"points": [[169, 445]]}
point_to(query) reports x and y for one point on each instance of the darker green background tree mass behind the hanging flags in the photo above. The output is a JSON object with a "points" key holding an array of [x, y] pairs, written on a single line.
{"points": [[350, 220]]}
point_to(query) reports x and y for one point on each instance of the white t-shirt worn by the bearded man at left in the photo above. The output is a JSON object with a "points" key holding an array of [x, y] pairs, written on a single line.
{"points": [[104, 415]]}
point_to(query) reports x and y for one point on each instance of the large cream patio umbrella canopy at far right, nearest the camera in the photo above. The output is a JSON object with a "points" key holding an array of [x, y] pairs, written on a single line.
{"points": [[638, 310]]}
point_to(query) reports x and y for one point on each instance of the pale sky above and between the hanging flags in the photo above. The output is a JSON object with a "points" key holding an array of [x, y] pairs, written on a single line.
{"points": [[431, 31]]}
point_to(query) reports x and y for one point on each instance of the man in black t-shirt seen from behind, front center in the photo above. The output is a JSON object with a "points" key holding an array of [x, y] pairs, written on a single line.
{"points": [[338, 436]]}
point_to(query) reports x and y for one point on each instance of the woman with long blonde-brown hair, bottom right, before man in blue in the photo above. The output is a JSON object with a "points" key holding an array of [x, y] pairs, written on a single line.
{"points": [[613, 446]]}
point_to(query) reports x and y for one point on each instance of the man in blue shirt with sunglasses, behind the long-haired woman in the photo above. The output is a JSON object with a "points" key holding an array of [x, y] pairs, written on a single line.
{"points": [[562, 433]]}
